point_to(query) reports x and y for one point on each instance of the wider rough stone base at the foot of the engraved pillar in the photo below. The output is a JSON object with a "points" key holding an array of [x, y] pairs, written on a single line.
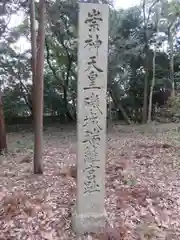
{"points": [[91, 223]]}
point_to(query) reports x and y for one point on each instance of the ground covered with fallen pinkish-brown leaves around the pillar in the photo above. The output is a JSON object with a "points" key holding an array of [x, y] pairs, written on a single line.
{"points": [[142, 185]]}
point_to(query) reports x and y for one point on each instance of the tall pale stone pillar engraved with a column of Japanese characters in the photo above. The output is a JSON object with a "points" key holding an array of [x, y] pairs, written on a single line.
{"points": [[89, 212]]}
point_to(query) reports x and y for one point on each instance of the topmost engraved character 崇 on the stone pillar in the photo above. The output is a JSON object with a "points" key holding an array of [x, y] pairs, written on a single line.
{"points": [[93, 19]]}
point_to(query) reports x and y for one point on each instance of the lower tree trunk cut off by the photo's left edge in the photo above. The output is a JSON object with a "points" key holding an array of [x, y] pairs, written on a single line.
{"points": [[3, 143]]}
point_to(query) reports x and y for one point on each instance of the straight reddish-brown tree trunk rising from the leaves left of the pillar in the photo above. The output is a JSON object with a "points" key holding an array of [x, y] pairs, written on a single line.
{"points": [[39, 92]]}
